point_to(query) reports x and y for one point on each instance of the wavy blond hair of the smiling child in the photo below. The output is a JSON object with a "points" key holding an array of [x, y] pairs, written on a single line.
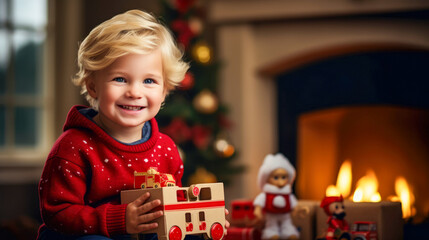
{"points": [[135, 32]]}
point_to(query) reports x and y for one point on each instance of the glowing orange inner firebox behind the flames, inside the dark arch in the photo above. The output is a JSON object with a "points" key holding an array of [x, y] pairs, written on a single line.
{"points": [[382, 142]]}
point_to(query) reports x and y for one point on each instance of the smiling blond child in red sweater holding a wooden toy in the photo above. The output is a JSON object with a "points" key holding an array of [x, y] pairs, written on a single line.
{"points": [[127, 65]]}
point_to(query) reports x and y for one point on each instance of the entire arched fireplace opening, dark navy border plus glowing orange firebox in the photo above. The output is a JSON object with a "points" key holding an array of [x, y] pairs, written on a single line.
{"points": [[371, 108]]}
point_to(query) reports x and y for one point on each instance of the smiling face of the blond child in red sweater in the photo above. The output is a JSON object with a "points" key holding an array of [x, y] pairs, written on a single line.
{"points": [[129, 91]]}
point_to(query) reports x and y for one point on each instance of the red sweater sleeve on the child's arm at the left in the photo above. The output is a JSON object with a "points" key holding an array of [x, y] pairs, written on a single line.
{"points": [[64, 206]]}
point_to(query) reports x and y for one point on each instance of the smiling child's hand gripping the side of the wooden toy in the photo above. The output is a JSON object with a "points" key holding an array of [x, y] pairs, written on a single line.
{"points": [[137, 217]]}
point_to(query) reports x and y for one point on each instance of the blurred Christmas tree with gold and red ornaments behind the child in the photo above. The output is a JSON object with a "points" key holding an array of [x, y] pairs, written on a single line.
{"points": [[193, 116]]}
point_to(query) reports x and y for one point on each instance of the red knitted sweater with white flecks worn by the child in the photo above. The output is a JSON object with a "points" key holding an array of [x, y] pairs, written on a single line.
{"points": [[86, 170]]}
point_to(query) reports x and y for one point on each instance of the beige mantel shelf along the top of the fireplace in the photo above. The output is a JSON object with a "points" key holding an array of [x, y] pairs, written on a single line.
{"points": [[239, 11]]}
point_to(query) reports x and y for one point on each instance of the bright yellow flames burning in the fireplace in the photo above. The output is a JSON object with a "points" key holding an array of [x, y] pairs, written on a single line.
{"points": [[367, 189]]}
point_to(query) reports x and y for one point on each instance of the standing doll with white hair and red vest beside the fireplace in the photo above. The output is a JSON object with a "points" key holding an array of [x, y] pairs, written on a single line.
{"points": [[275, 178]]}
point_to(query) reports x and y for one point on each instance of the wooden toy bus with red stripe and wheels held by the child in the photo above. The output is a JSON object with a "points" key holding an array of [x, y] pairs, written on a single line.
{"points": [[198, 209]]}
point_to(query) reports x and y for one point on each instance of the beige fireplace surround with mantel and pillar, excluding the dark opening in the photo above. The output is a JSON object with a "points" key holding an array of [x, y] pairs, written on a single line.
{"points": [[258, 40]]}
